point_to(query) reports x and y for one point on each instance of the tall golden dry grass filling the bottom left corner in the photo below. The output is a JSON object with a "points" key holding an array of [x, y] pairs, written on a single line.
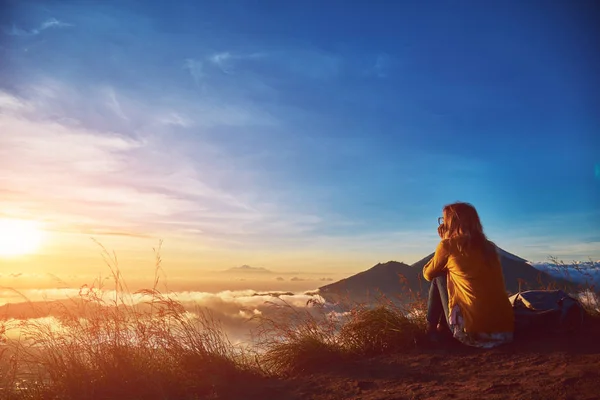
{"points": [[141, 345]]}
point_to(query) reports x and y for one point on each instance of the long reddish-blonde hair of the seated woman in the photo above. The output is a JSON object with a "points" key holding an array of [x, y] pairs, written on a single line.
{"points": [[462, 222]]}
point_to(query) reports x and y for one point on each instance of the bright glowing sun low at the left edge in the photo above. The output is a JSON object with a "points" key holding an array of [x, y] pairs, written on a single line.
{"points": [[19, 237]]}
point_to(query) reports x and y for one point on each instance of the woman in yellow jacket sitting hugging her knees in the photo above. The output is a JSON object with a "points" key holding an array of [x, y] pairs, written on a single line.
{"points": [[467, 286]]}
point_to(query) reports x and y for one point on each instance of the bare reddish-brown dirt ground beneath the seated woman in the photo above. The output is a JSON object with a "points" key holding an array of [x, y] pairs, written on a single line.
{"points": [[551, 367]]}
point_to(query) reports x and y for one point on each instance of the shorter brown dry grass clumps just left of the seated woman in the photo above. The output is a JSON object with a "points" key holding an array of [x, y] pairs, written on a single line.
{"points": [[309, 339]]}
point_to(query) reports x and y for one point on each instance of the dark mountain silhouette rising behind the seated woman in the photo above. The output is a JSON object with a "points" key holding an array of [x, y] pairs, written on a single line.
{"points": [[399, 282]]}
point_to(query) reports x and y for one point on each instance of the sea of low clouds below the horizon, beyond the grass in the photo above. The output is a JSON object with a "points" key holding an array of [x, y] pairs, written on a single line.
{"points": [[239, 311]]}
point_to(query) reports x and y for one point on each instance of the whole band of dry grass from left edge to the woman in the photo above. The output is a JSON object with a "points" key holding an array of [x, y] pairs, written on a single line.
{"points": [[110, 343]]}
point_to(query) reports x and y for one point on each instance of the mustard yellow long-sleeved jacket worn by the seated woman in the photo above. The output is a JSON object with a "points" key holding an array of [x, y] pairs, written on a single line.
{"points": [[475, 286]]}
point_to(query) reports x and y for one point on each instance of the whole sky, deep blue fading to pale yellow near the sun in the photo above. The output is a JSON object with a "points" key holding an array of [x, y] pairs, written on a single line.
{"points": [[311, 136]]}
